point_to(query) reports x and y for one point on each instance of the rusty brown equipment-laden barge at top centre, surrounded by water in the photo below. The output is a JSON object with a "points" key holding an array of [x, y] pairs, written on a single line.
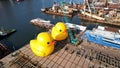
{"points": [[63, 9]]}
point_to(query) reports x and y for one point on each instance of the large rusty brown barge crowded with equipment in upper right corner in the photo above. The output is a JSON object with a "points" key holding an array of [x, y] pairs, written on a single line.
{"points": [[100, 12]]}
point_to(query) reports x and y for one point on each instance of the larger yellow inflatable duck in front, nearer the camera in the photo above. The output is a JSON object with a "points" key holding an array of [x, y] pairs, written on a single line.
{"points": [[43, 45]]}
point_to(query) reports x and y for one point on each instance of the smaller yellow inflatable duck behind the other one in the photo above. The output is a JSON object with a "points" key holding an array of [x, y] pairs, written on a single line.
{"points": [[59, 31]]}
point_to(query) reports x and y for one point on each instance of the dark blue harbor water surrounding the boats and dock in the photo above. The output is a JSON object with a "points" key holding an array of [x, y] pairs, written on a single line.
{"points": [[17, 15]]}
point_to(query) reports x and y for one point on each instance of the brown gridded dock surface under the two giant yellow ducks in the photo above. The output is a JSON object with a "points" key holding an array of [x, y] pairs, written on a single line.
{"points": [[84, 57]]}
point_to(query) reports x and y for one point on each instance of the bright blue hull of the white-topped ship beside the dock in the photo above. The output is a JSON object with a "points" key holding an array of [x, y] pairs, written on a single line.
{"points": [[99, 40]]}
